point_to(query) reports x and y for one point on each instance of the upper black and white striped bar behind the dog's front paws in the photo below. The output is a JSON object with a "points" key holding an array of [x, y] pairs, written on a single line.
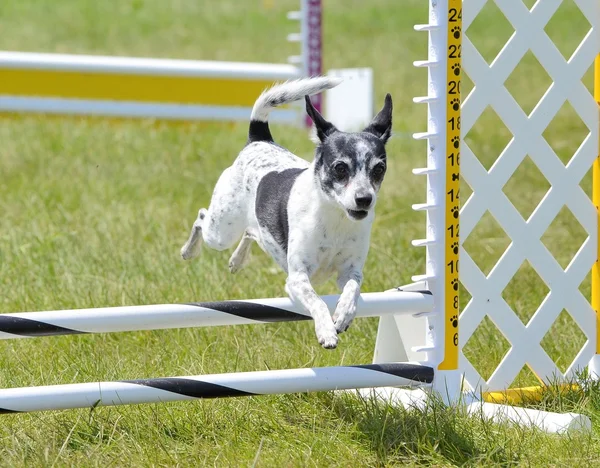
{"points": [[199, 314]]}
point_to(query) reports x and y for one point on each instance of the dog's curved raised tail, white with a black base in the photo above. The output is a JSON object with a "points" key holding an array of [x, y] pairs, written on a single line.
{"points": [[283, 93]]}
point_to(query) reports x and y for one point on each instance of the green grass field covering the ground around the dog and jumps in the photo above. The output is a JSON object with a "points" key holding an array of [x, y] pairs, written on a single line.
{"points": [[94, 214]]}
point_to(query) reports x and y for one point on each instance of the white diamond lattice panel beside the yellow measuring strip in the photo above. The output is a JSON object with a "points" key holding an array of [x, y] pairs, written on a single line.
{"points": [[531, 43]]}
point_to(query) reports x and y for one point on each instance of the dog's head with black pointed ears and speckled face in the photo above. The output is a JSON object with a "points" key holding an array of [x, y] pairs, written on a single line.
{"points": [[350, 166]]}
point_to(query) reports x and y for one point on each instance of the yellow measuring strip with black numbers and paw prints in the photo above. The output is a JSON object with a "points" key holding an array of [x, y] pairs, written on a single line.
{"points": [[453, 64]]}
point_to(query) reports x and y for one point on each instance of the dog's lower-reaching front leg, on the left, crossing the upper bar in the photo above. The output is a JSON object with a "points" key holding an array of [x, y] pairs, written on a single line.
{"points": [[301, 292]]}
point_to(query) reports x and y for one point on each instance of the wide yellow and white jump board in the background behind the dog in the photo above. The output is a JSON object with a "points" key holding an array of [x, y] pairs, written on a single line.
{"points": [[137, 87]]}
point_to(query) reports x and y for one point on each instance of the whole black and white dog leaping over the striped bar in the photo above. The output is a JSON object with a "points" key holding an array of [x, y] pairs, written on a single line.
{"points": [[314, 219]]}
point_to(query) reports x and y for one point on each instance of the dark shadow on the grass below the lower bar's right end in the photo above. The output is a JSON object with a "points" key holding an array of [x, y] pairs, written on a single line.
{"points": [[433, 434]]}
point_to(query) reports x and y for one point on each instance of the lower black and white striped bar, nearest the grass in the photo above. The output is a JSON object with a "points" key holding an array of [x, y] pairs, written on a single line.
{"points": [[129, 392]]}
